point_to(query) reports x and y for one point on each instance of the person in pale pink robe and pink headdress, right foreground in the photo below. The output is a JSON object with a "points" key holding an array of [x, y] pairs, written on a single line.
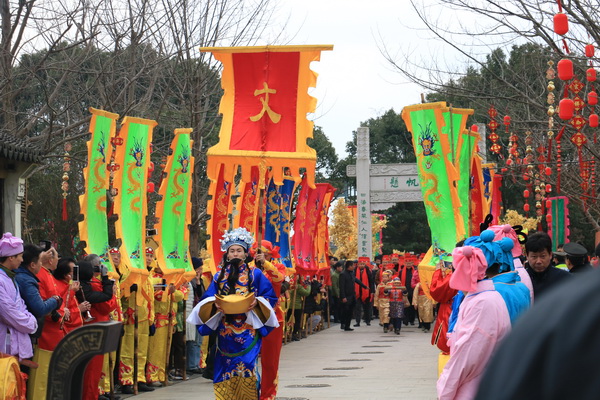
{"points": [[483, 321]]}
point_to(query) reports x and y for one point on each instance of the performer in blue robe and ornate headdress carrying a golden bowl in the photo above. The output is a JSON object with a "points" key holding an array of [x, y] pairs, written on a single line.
{"points": [[250, 294]]}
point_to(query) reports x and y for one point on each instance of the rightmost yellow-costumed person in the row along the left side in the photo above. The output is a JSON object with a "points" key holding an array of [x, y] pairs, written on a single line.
{"points": [[157, 350]]}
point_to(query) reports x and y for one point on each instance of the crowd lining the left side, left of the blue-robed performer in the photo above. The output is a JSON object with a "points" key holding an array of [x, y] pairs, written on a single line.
{"points": [[46, 296]]}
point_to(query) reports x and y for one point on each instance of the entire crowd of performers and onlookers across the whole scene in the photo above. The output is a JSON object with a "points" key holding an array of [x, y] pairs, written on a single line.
{"points": [[254, 304]]}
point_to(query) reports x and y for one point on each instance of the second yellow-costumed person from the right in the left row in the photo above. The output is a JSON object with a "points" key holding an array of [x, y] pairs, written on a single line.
{"points": [[142, 303]]}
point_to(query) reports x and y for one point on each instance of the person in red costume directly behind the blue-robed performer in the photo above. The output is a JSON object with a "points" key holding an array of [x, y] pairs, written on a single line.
{"points": [[271, 344]]}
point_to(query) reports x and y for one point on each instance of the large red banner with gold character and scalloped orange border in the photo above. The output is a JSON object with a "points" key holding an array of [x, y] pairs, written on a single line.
{"points": [[264, 109]]}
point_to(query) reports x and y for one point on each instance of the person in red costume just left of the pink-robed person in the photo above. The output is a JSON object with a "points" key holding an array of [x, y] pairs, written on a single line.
{"points": [[442, 293]]}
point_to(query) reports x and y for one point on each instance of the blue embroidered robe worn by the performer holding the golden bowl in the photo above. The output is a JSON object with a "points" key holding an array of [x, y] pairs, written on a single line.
{"points": [[238, 343]]}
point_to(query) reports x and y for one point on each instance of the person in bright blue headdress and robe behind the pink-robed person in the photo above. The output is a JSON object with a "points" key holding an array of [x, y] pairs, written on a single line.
{"points": [[502, 272]]}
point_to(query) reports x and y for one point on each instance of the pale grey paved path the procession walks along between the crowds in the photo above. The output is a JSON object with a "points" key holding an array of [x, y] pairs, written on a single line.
{"points": [[333, 364]]}
